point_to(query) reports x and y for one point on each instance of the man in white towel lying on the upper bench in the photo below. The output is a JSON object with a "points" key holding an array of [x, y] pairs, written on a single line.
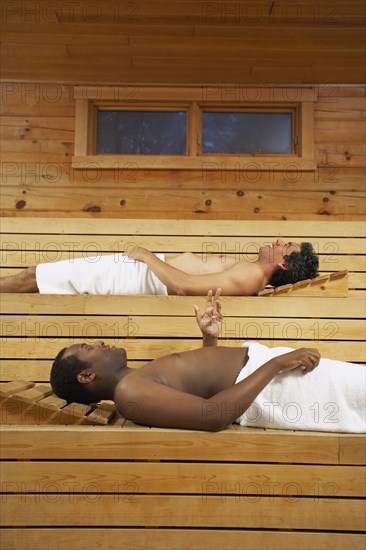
{"points": [[139, 271]]}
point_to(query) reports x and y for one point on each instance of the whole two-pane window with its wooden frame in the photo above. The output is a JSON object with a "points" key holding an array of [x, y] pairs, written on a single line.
{"points": [[178, 128]]}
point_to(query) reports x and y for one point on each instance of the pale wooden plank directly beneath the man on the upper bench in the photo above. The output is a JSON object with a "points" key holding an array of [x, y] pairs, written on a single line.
{"points": [[177, 305]]}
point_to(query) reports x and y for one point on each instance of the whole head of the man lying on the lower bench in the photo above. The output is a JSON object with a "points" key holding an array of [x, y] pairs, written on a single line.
{"points": [[87, 373]]}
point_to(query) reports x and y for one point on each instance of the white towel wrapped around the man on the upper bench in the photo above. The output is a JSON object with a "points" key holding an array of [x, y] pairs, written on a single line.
{"points": [[110, 274]]}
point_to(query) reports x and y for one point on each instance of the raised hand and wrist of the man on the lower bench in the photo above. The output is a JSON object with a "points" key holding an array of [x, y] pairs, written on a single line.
{"points": [[210, 320]]}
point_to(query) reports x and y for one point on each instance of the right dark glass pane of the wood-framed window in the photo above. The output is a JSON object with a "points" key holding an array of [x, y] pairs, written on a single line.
{"points": [[246, 133]]}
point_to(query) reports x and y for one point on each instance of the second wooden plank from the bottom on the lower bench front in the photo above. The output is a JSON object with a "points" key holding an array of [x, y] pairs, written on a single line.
{"points": [[188, 511]]}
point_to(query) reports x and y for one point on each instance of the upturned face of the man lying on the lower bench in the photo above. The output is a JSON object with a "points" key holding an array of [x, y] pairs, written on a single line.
{"points": [[102, 357]]}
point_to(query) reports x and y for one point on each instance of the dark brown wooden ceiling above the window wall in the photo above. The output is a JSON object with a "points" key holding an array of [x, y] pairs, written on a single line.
{"points": [[260, 41]]}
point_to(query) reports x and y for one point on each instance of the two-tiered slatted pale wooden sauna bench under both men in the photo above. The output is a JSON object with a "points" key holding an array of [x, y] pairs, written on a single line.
{"points": [[66, 484]]}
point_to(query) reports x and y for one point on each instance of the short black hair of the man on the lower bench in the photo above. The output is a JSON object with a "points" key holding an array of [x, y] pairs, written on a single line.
{"points": [[64, 380]]}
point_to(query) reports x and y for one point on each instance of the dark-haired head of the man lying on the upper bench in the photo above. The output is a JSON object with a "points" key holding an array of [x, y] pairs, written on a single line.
{"points": [[292, 262]]}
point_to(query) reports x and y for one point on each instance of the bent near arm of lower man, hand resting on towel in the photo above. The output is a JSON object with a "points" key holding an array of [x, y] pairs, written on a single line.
{"points": [[144, 401]]}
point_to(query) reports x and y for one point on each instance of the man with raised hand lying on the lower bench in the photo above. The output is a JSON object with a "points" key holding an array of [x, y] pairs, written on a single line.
{"points": [[211, 387]]}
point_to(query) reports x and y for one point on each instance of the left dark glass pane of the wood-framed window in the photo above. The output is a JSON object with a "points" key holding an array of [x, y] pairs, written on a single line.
{"points": [[141, 132]]}
